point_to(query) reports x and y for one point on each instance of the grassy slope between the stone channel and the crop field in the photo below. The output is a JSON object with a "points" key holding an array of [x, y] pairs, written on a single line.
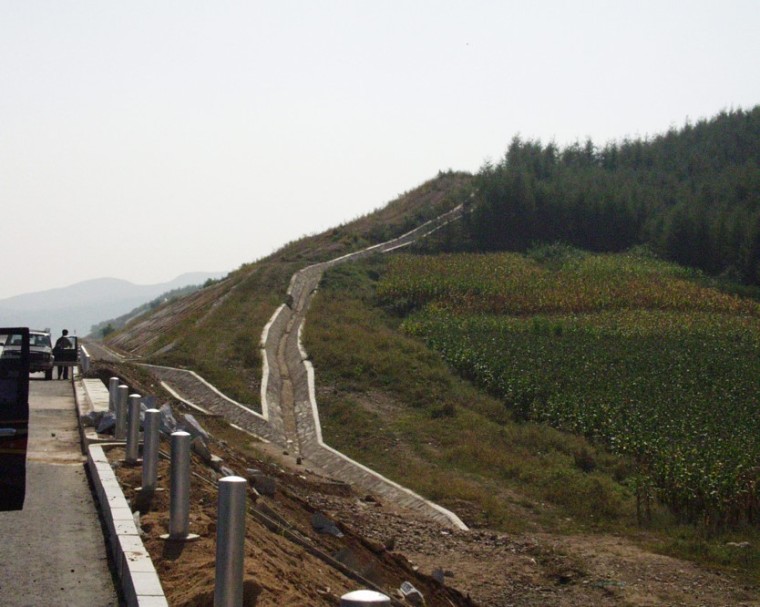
{"points": [[388, 400]]}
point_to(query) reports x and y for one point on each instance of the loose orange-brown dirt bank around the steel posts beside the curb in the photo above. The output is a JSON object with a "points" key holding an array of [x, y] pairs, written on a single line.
{"points": [[287, 561]]}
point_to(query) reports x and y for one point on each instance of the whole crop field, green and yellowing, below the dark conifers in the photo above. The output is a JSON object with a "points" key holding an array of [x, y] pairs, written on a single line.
{"points": [[656, 366]]}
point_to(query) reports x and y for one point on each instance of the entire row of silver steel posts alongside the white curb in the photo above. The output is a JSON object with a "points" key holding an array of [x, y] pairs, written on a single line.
{"points": [[231, 504]]}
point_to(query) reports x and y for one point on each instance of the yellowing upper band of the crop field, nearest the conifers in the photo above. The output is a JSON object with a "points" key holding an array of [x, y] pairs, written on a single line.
{"points": [[506, 283]]}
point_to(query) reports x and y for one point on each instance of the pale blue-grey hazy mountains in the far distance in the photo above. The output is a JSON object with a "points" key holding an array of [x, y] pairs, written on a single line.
{"points": [[80, 306]]}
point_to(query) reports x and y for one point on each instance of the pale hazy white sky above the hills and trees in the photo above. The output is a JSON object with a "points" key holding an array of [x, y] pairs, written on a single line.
{"points": [[141, 140]]}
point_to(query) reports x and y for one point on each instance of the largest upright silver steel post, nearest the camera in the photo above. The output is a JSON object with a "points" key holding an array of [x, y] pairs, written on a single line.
{"points": [[230, 542]]}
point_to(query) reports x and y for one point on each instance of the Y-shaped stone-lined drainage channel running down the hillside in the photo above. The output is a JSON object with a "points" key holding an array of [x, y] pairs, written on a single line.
{"points": [[289, 414]]}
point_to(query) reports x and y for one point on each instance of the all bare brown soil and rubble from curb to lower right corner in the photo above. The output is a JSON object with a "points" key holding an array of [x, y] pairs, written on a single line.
{"points": [[289, 564]]}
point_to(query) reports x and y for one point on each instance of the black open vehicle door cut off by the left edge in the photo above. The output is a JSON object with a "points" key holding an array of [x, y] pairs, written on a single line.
{"points": [[14, 416]]}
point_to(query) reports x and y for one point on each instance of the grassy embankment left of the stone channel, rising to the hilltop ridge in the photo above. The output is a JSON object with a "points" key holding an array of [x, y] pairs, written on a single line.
{"points": [[216, 331]]}
